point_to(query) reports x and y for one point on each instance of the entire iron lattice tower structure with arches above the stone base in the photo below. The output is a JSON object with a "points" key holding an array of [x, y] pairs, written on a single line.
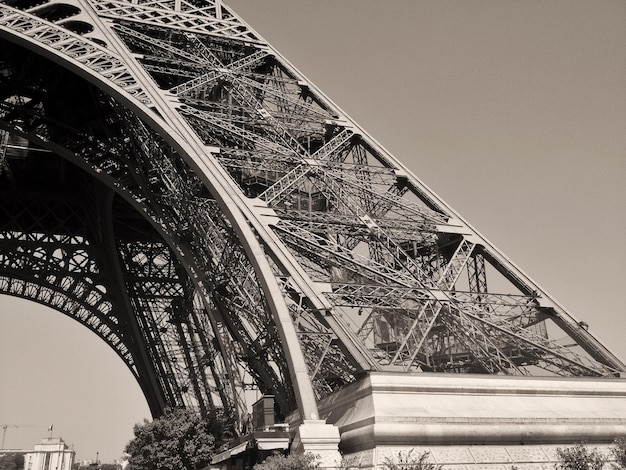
{"points": [[170, 181]]}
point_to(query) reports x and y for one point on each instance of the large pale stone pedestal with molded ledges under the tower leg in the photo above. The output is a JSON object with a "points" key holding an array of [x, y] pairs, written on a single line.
{"points": [[476, 422]]}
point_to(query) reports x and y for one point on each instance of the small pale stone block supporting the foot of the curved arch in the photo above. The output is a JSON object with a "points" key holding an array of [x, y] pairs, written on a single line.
{"points": [[320, 439]]}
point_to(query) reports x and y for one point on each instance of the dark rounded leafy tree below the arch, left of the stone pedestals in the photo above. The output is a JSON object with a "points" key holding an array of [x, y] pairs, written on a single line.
{"points": [[179, 439]]}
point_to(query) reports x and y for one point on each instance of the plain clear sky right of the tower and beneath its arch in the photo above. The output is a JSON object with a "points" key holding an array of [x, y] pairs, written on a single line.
{"points": [[514, 112]]}
